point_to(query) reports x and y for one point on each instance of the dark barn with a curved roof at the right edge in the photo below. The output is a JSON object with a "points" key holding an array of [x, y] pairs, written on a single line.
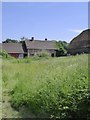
{"points": [[80, 44]]}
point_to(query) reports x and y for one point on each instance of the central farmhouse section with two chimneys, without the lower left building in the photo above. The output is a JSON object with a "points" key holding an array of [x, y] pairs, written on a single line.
{"points": [[34, 47]]}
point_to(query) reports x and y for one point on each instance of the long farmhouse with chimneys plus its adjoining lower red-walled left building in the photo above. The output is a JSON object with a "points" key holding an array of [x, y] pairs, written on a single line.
{"points": [[30, 48]]}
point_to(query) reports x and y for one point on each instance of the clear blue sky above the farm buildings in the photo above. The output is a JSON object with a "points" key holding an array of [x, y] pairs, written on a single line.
{"points": [[54, 21]]}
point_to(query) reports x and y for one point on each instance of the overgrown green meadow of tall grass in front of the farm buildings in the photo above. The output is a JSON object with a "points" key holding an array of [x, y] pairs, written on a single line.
{"points": [[46, 87]]}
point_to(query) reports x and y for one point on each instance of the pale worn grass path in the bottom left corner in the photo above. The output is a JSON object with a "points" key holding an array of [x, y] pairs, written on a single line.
{"points": [[9, 112]]}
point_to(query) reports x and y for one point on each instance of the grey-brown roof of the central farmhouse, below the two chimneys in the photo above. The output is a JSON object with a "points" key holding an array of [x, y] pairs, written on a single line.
{"points": [[38, 44]]}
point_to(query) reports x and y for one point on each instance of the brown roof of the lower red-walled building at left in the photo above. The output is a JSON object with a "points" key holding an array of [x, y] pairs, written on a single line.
{"points": [[12, 47]]}
